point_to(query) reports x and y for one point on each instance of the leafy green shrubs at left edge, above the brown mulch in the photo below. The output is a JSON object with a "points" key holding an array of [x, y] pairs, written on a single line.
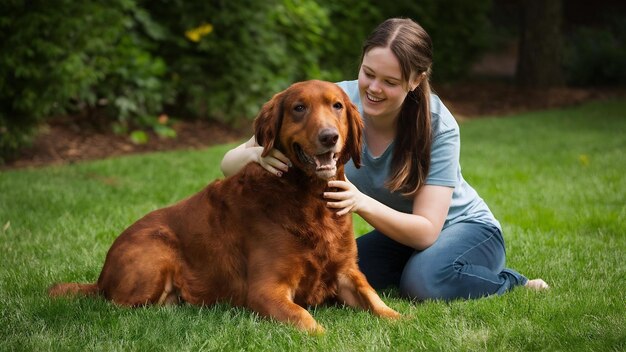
{"points": [[74, 56]]}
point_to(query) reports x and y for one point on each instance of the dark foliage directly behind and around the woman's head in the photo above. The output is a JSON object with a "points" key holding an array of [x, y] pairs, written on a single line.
{"points": [[459, 30]]}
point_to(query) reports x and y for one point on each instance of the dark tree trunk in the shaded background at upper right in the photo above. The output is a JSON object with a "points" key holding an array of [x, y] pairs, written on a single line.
{"points": [[541, 47]]}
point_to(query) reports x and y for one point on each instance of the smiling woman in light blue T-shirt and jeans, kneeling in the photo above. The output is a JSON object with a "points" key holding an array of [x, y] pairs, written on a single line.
{"points": [[433, 236]]}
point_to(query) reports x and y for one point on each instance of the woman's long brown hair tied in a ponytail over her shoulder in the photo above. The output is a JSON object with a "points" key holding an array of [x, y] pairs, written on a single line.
{"points": [[412, 46]]}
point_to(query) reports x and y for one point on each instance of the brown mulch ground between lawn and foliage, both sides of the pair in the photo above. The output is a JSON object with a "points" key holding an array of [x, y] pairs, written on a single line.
{"points": [[70, 140]]}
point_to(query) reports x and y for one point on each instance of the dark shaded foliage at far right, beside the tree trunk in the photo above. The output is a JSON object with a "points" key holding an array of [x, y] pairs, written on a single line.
{"points": [[596, 56]]}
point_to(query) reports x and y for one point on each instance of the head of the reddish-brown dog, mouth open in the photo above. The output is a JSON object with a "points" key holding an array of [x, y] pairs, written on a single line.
{"points": [[314, 124]]}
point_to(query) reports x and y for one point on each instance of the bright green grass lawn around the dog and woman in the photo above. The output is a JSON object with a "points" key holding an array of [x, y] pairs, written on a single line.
{"points": [[555, 179]]}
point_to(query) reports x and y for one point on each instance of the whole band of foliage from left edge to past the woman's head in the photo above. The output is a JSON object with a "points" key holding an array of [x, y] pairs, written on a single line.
{"points": [[135, 59]]}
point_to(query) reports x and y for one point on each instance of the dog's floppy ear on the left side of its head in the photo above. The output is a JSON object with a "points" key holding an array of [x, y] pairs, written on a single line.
{"points": [[267, 123]]}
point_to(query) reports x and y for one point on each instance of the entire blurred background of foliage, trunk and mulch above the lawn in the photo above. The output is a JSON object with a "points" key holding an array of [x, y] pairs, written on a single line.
{"points": [[88, 79]]}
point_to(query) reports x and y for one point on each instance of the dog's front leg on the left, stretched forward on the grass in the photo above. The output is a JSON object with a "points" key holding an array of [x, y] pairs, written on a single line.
{"points": [[276, 301]]}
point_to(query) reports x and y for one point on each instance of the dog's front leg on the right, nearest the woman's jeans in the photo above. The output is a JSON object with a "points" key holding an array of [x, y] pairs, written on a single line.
{"points": [[355, 291]]}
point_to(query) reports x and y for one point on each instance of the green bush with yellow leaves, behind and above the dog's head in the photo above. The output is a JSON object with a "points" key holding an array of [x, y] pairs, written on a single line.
{"points": [[237, 54]]}
